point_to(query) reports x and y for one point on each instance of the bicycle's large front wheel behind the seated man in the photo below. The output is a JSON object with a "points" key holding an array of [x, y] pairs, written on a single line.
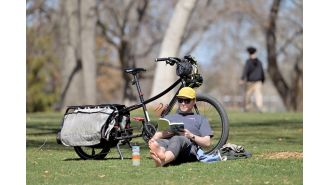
{"points": [[215, 113]]}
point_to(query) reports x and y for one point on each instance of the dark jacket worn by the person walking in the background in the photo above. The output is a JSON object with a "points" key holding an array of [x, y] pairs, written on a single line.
{"points": [[253, 71]]}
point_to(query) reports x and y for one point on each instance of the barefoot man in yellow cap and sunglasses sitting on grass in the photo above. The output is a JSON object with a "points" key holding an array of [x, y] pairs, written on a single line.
{"points": [[167, 147]]}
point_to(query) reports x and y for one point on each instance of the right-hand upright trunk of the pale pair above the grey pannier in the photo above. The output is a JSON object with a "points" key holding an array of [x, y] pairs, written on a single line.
{"points": [[87, 28]]}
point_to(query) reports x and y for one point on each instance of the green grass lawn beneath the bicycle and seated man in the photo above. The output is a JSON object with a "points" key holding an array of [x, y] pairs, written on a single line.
{"points": [[262, 134]]}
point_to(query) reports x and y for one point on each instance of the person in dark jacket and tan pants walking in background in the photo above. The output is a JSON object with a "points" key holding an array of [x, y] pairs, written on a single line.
{"points": [[253, 78]]}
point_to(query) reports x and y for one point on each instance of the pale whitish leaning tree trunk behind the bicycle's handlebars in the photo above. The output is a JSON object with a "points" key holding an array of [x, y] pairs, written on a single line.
{"points": [[165, 74]]}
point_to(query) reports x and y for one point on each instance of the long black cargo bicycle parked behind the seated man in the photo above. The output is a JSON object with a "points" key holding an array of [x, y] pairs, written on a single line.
{"points": [[121, 132]]}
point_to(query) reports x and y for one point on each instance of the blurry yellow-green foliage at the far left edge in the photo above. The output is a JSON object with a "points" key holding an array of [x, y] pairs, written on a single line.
{"points": [[42, 73]]}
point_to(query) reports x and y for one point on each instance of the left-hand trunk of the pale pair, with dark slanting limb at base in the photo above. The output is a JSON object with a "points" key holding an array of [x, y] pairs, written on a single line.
{"points": [[72, 84]]}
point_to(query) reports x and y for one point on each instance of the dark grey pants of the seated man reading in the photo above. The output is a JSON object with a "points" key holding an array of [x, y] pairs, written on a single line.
{"points": [[183, 149]]}
